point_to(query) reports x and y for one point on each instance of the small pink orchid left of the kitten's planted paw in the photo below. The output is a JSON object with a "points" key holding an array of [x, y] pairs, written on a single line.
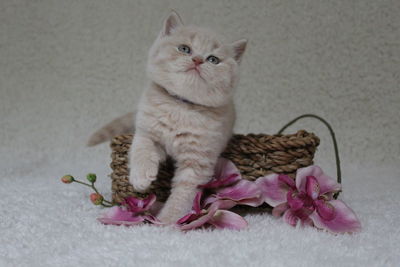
{"points": [[134, 211]]}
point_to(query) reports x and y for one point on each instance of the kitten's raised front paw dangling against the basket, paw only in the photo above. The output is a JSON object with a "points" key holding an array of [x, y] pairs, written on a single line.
{"points": [[142, 174]]}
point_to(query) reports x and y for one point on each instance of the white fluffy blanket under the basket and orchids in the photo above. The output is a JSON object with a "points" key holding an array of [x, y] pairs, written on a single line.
{"points": [[47, 223]]}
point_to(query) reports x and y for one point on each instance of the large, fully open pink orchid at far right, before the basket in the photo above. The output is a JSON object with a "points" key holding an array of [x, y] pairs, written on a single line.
{"points": [[308, 200]]}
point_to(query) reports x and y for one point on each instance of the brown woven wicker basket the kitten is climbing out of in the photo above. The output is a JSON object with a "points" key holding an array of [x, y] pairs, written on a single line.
{"points": [[254, 155]]}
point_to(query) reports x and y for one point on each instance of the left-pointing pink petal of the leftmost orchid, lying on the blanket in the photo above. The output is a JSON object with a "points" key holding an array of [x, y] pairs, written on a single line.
{"points": [[120, 216]]}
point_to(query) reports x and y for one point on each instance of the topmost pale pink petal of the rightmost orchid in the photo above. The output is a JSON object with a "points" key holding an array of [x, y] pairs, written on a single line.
{"points": [[326, 183]]}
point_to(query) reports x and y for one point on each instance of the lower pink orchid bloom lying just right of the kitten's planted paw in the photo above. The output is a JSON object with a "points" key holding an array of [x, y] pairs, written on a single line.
{"points": [[215, 215]]}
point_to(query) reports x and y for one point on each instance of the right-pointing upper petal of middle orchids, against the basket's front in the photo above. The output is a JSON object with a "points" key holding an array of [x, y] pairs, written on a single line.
{"points": [[242, 192]]}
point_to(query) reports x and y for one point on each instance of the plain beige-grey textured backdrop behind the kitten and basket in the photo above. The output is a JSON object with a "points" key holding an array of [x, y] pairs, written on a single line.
{"points": [[68, 67]]}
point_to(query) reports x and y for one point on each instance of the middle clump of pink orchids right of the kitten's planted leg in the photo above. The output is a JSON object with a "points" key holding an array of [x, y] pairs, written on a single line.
{"points": [[225, 191]]}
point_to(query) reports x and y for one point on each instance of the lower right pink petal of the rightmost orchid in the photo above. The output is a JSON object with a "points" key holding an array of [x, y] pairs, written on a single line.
{"points": [[344, 221]]}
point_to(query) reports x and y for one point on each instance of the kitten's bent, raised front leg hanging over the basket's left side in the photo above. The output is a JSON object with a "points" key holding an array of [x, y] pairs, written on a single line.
{"points": [[145, 157]]}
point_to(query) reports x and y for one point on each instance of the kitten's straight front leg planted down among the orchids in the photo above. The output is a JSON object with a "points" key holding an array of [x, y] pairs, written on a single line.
{"points": [[183, 191]]}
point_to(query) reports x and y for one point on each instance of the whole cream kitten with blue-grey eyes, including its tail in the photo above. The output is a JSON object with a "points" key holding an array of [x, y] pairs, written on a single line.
{"points": [[186, 112]]}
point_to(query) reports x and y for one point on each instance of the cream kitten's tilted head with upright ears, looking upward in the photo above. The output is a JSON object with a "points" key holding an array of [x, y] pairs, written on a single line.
{"points": [[194, 63]]}
